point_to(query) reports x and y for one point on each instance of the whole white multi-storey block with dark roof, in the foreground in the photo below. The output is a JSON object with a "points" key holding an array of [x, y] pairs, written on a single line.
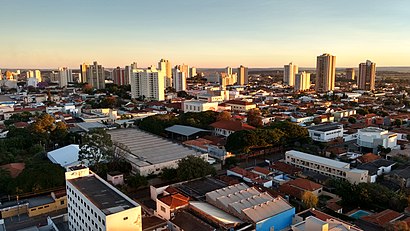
{"points": [[94, 204]]}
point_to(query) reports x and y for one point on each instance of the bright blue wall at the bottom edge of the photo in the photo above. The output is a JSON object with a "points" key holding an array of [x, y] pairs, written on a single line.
{"points": [[278, 222]]}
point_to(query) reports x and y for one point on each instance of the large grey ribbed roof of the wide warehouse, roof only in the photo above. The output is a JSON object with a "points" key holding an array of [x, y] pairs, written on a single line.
{"points": [[144, 149]]}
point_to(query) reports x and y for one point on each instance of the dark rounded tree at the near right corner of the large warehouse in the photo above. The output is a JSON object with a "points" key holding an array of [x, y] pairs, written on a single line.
{"points": [[192, 167]]}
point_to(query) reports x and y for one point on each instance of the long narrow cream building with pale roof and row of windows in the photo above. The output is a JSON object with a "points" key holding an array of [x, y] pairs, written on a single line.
{"points": [[325, 166]]}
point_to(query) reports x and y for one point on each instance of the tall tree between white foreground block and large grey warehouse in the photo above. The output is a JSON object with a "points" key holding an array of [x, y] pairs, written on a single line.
{"points": [[96, 147]]}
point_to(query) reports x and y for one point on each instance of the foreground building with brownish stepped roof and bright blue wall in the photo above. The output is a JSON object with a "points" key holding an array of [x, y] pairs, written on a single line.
{"points": [[249, 204]]}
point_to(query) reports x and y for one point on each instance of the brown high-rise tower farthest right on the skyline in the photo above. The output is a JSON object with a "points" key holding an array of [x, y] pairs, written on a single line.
{"points": [[367, 76]]}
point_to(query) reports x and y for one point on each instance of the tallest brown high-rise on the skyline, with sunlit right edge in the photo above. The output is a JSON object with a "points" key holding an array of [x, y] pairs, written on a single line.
{"points": [[325, 73]]}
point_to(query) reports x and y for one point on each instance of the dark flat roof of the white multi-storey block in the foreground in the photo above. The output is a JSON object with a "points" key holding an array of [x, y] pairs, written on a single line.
{"points": [[101, 195]]}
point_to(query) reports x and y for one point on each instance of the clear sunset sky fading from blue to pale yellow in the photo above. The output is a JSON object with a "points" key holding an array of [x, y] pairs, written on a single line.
{"points": [[203, 33]]}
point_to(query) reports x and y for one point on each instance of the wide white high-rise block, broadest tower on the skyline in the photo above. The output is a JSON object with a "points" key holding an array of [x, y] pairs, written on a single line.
{"points": [[148, 84]]}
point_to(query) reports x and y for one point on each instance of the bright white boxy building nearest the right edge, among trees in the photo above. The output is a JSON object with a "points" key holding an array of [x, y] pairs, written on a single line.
{"points": [[372, 137]]}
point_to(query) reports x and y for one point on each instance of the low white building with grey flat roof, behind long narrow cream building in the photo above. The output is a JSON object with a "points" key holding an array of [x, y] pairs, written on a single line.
{"points": [[326, 132]]}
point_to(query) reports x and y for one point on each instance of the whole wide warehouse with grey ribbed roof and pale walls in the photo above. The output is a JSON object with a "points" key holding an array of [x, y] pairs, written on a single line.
{"points": [[147, 153]]}
